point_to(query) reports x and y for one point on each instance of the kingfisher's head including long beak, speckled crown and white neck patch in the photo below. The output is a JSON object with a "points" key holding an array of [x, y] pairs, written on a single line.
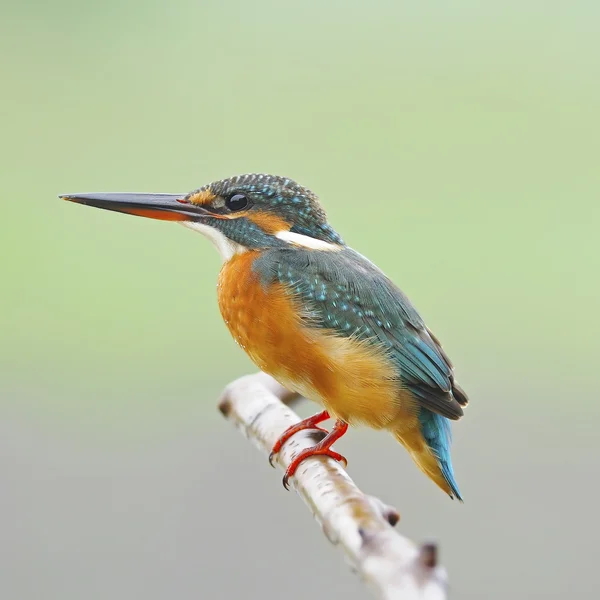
{"points": [[236, 214]]}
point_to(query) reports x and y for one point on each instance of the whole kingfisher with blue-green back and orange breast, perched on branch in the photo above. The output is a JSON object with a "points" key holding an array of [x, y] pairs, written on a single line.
{"points": [[318, 316]]}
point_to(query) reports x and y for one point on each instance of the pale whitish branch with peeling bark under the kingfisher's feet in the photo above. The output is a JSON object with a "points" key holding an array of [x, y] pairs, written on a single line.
{"points": [[393, 567]]}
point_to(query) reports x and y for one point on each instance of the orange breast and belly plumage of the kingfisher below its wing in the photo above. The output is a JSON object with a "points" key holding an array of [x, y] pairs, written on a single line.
{"points": [[355, 381]]}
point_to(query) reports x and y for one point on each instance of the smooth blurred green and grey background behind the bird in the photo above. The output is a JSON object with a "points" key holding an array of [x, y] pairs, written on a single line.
{"points": [[456, 144]]}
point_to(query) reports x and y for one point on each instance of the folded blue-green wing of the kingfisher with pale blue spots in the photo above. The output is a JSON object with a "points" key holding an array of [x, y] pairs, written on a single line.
{"points": [[345, 292]]}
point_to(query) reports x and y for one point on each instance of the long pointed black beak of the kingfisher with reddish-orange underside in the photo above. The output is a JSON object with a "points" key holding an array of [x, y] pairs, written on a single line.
{"points": [[166, 207]]}
